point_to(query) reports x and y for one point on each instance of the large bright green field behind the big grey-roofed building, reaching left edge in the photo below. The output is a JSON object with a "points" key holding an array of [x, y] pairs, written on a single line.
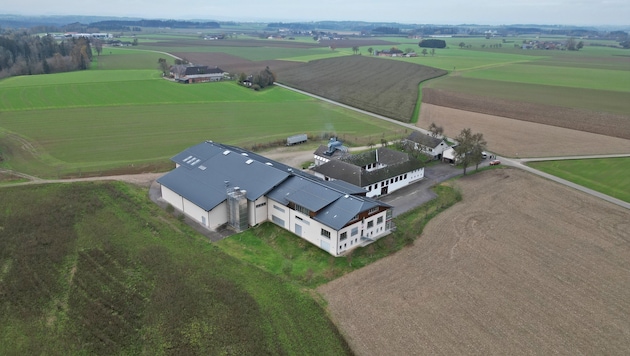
{"points": [[116, 119]]}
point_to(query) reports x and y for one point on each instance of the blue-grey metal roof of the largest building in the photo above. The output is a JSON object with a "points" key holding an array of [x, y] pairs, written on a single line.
{"points": [[205, 168]]}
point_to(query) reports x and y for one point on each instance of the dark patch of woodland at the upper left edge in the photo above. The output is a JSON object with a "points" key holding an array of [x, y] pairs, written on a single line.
{"points": [[23, 54]]}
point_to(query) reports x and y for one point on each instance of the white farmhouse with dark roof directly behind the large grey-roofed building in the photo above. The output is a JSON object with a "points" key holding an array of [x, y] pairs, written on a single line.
{"points": [[378, 172]]}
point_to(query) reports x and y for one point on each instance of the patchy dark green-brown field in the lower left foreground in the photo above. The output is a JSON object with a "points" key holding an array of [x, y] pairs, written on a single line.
{"points": [[97, 268]]}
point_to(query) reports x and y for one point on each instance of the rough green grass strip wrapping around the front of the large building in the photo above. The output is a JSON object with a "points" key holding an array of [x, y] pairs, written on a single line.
{"points": [[281, 253]]}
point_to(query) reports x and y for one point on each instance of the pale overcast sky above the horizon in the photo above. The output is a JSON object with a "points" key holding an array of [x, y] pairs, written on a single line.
{"points": [[491, 12]]}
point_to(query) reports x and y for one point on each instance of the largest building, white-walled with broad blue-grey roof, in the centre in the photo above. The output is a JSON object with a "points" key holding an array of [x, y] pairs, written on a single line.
{"points": [[216, 185]]}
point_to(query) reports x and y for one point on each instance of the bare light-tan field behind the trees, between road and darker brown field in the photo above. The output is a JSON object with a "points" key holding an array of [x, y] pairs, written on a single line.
{"points": [[517, 138]]}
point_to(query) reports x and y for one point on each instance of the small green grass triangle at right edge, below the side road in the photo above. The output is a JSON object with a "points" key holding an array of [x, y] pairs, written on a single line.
{"points": [[605, 175]]}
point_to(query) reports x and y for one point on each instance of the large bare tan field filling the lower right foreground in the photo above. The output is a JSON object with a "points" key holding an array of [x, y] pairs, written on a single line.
{"points": [[521, 266]]}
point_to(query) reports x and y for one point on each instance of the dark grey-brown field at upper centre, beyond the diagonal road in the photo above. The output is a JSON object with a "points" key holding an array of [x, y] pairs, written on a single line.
{"points": [[381, 86]]}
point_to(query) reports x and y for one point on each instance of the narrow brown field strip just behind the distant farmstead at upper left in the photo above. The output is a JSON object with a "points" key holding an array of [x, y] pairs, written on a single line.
{"points": [[234, 64]]}
